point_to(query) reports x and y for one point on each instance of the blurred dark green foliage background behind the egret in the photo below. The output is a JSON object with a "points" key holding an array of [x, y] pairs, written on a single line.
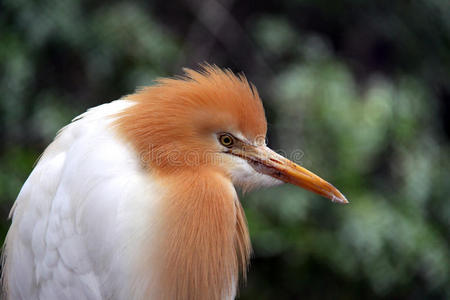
{"points": [[356, 91]]}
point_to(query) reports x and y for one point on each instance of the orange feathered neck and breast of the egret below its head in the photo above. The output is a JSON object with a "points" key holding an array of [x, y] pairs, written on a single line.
{"points": [[204, 239]]}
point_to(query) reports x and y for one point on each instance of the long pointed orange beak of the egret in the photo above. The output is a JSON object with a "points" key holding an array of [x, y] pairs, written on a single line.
{"points": [[266, 161]]}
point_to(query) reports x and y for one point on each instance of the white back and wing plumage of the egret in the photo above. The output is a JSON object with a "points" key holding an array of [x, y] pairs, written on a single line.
{"points": [[70, 216]]}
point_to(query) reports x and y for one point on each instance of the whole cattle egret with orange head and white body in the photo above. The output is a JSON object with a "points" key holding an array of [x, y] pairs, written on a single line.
{"points": [[136, 199]]}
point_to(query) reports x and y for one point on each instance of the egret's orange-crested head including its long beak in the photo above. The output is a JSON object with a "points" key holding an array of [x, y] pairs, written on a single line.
{"points": [[211, 120]]}
